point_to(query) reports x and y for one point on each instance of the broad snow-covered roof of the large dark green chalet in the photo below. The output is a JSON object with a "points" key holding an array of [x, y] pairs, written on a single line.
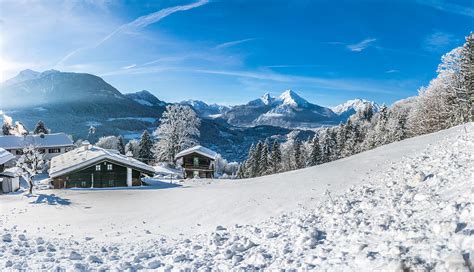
{"points": [[87, 155]]}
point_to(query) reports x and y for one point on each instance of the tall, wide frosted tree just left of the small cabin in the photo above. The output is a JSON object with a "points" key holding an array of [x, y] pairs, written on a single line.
{"points": [[179, 129]]}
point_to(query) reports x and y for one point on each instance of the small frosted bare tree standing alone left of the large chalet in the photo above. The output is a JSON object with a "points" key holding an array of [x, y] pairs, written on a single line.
{"points": [[31, 163]]}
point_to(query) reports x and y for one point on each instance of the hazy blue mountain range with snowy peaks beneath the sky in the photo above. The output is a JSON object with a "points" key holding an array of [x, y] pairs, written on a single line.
{"points": [[72, 102]]}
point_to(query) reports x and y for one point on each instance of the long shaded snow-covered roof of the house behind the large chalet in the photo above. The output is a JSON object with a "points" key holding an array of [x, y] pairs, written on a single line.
{"points": [[42, 140]]}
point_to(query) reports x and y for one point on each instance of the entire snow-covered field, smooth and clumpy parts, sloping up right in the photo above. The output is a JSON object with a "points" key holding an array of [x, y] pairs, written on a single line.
{"points": [[407, 205]]}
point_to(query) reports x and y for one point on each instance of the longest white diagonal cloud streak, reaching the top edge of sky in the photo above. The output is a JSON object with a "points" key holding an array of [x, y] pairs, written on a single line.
{"points": [[140, 22]]}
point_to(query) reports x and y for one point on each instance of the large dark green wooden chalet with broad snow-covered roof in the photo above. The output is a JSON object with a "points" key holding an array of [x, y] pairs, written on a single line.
{"points": [[94, 167]]}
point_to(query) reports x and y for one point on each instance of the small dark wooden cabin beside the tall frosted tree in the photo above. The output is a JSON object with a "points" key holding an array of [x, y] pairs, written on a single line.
{"points": [[197, 161]]}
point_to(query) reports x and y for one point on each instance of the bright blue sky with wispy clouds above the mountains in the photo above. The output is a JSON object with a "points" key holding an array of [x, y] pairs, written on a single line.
{"points": [[233, 51]]}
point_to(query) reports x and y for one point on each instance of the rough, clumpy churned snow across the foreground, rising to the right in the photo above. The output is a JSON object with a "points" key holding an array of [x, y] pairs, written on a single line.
{"points": [[416, 214]]}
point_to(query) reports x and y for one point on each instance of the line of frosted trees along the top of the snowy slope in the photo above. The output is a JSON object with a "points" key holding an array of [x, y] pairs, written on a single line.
{"points": [[446, 102]]}
